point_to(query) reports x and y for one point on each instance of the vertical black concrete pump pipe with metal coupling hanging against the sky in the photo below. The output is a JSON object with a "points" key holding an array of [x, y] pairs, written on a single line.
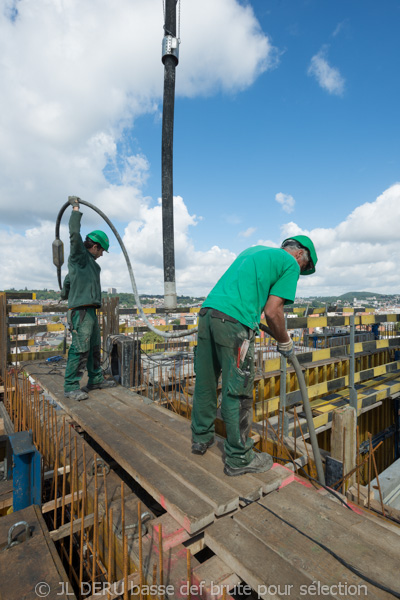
{"points": [[170, 57]]}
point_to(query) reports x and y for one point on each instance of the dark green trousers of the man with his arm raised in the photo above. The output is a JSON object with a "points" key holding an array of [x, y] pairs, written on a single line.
{"points": [[84, 350]]}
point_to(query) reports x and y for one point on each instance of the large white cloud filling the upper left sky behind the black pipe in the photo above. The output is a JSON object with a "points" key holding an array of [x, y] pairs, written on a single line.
{"points": [[75, 79]]}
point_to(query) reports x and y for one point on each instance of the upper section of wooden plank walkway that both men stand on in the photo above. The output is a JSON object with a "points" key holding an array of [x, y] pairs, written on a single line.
{"points": [[154, 446]]}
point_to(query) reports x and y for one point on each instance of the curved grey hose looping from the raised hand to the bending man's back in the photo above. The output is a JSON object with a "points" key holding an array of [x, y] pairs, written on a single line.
{"points": [[166, 334]]}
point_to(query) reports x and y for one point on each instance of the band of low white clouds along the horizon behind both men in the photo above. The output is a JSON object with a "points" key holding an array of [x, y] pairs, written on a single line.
{"points": [[350, 258]]}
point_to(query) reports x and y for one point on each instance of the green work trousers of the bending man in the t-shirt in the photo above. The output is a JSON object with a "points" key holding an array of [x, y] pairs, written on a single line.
{"points": [[219, 342]]}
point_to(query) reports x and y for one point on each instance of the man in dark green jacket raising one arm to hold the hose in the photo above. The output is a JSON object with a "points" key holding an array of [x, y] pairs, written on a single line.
{"points": [[82, 288]]}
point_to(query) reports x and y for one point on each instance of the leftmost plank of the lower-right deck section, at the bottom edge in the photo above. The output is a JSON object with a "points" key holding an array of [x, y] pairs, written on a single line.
{"points": [[258, 566]]}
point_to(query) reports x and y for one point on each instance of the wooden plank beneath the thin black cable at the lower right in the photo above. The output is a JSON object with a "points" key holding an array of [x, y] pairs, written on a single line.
{"points": [[299, 552]]}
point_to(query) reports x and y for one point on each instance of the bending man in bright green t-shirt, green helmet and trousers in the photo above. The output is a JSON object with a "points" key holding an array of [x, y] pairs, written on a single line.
{"points": [[261, 279]]}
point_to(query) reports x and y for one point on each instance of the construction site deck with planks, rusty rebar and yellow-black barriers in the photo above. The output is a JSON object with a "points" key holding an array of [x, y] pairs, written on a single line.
{"points": [[126, 510]]}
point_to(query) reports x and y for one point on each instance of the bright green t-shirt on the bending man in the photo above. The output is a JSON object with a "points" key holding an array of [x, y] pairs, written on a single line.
{"points": [[256, 274]]}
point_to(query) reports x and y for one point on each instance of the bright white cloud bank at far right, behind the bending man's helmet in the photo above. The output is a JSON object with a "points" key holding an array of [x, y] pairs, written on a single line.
{"points": [[361, 253]]}
